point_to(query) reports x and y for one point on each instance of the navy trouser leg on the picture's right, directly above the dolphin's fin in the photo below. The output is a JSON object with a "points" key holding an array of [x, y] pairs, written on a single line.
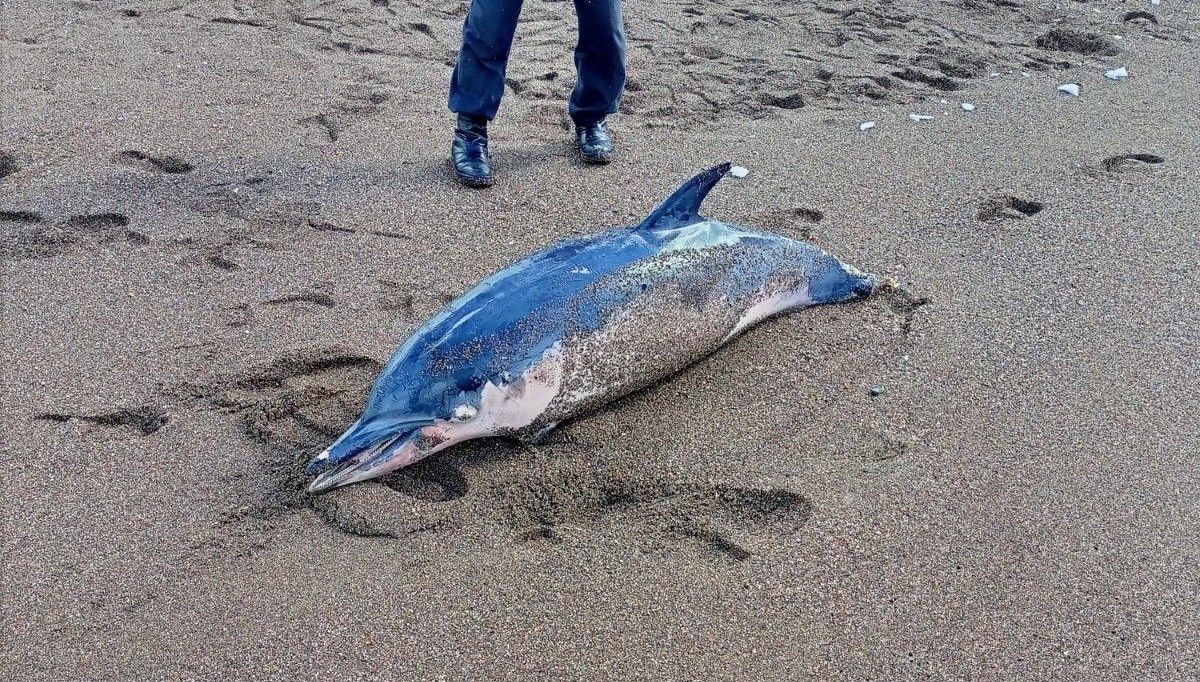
{"points": [[599, 62]]}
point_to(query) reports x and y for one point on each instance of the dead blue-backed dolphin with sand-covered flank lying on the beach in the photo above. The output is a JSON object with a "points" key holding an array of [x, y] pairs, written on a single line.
{"points": [[580, 325]]}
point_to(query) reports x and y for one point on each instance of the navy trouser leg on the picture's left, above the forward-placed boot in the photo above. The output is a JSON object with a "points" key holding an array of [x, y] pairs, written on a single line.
{"points": [[478, 81]]}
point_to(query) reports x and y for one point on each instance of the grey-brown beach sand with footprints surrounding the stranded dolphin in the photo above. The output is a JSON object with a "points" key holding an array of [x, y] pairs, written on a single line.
{"points": [[226, 217]]}
